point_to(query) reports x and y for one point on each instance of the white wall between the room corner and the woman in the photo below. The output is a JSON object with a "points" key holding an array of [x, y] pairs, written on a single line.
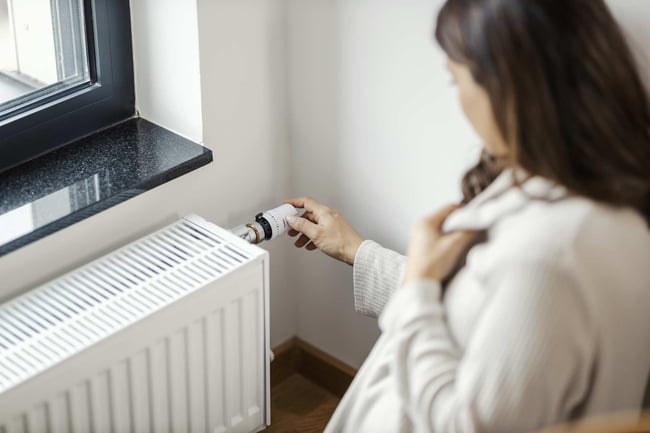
{"points": [[376, 132]]}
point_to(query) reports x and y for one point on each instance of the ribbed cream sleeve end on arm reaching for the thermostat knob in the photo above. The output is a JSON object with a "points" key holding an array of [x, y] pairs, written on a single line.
{"points": [[377, 274]]}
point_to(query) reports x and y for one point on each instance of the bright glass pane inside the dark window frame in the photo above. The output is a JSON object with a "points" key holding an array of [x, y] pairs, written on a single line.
{"points": [[42, 50]]}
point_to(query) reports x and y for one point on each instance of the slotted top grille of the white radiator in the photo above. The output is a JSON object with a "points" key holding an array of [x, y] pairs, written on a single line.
{"points": [[47, 325]]}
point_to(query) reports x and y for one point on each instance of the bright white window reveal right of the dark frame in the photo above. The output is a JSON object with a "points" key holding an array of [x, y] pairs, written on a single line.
{"points": [[167, 64]]}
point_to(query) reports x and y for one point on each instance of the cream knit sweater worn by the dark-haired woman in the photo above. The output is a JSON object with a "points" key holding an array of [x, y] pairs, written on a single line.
{"points": [[548, 321]]}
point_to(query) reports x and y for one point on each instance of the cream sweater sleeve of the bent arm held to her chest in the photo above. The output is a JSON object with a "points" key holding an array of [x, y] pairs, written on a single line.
{"points": [[527, 365]]}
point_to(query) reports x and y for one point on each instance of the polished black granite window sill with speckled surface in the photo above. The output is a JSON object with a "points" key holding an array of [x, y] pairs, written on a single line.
{"points": [[82, 179]]}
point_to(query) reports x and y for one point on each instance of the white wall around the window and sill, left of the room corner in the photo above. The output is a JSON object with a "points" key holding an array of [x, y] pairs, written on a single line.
{"points": [[241, 43]]}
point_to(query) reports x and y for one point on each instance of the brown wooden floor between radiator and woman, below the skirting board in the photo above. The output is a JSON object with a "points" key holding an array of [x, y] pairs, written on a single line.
{"points": [[300, 406]]}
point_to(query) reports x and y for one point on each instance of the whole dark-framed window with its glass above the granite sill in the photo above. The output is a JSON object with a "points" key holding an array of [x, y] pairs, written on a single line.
{"points": [[66, 71]]}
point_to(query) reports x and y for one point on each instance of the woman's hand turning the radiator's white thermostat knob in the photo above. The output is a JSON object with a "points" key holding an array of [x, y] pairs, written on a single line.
{"points": [[324, 229]]}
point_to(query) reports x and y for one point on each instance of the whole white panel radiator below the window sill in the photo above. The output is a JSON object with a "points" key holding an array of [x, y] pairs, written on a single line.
{"points": [[167, 334]]}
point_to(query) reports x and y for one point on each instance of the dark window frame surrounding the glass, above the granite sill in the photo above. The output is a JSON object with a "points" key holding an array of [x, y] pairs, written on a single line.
{"points": [[106, 100]]}
